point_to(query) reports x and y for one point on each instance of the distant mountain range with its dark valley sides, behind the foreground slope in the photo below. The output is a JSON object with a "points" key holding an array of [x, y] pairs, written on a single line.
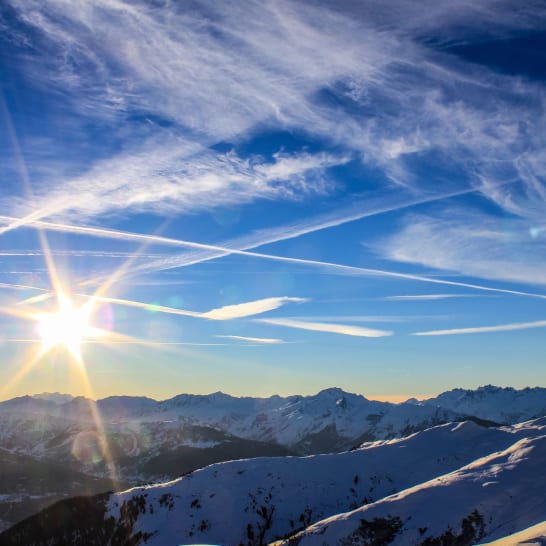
{"points": [[140, 440]]}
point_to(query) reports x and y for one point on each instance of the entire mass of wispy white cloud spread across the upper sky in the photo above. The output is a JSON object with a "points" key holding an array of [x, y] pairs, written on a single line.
{"points": [[191, 74]]}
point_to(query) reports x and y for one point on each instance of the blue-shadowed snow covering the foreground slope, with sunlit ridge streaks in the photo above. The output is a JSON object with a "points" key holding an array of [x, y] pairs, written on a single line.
{"points": [[435, 475]]}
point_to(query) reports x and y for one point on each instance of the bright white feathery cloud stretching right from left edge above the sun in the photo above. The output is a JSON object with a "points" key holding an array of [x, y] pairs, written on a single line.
{"points": [[168, 177]]}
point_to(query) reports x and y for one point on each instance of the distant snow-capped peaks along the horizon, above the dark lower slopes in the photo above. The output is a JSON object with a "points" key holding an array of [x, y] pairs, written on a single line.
{"points": [[328, 421]]}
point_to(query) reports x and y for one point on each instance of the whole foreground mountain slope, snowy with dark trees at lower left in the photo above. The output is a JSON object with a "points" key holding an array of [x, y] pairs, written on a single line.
{"points": [[456, 480]]}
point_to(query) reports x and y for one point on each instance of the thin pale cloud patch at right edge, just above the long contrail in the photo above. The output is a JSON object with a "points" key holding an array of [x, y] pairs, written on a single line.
{"points": [[470, 242]]}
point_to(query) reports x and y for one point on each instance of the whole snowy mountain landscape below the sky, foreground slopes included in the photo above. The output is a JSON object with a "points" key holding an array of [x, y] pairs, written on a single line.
{"points": [[58, 447]]}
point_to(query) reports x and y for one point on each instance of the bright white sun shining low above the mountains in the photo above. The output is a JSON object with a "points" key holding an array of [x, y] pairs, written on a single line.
{"points": [[67, 327]]}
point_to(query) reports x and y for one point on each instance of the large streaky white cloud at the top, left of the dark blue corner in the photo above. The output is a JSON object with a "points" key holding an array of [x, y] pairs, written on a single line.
{"points": [[186, 62]]}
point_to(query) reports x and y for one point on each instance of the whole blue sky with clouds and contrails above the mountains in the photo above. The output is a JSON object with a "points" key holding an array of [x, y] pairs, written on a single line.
{"points": [[273, 197]]}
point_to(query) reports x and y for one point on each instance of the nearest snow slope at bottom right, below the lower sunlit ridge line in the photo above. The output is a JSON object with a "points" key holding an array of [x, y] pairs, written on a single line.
{"points": [[491, 497]]}
